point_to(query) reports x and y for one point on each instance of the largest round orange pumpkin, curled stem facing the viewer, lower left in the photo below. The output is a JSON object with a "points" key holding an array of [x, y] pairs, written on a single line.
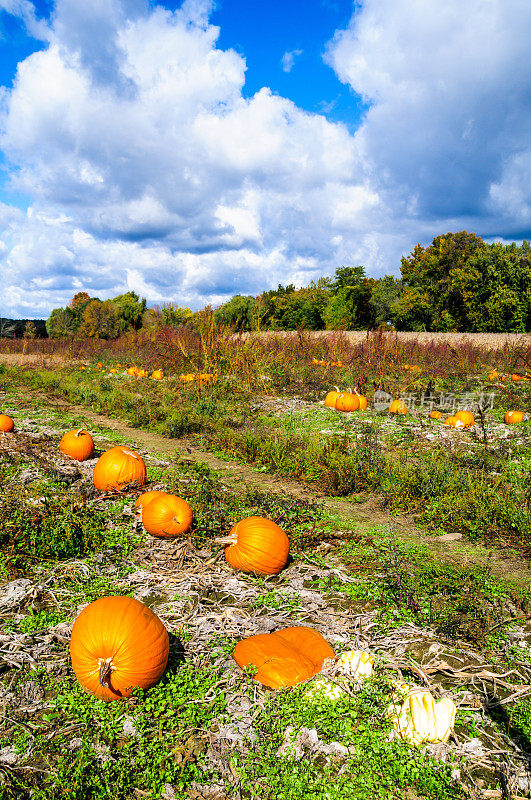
{"points": [[118, 644]]}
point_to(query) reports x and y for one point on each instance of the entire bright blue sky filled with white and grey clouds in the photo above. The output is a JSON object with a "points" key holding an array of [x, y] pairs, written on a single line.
{"points": [[195, 151]]}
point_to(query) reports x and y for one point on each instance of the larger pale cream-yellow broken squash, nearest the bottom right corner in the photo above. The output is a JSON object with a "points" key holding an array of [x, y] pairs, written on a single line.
{"points": [[419, 719]]}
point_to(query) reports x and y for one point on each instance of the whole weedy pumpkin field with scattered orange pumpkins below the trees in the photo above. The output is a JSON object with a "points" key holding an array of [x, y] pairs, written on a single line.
{"points": [[263, 581]]}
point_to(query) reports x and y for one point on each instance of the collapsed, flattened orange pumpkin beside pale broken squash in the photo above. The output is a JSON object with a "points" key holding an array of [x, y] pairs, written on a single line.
{"points": [[284, 658]]}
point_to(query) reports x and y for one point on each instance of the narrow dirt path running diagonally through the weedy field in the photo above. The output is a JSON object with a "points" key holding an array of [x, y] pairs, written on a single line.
{"points": [[452, 548]]}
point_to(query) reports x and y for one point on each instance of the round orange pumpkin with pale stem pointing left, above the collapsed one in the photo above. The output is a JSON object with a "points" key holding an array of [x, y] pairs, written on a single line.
{"points": [[256, 544]]}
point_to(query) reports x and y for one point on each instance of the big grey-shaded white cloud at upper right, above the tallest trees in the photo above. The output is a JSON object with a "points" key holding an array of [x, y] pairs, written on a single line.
{"points": [[449, 123]]}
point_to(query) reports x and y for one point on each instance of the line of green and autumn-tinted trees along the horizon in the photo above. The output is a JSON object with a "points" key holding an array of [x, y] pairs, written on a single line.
{"points": [[457, 283]]}
